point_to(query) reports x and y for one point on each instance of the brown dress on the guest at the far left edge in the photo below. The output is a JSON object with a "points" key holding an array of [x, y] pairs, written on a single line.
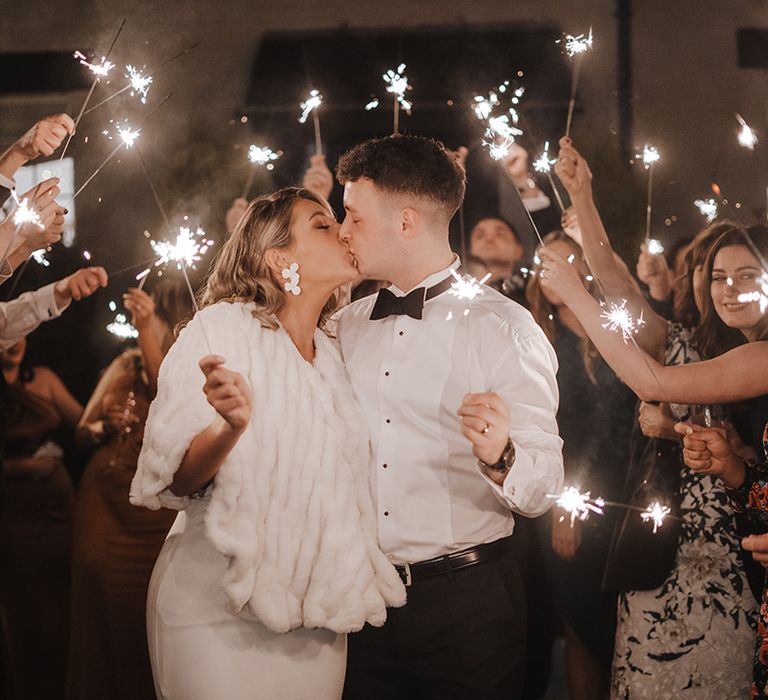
{"points": [[35, 541]]}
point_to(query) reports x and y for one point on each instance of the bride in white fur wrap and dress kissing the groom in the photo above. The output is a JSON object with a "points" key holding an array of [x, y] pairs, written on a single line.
{"points": [[273, 557]]}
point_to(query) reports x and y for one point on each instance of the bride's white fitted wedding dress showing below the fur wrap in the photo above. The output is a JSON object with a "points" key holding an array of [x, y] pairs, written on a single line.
{"points": [[198, 653]]}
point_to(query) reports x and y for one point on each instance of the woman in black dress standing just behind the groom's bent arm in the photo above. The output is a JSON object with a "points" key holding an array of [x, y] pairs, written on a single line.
{"points": [[593, 403]]}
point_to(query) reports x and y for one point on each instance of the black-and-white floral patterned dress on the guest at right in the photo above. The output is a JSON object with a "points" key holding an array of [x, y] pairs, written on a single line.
{"points": [[692, 636]]}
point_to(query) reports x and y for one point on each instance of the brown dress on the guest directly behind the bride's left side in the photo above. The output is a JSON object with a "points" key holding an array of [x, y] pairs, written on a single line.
{"points": [[115, 547]]}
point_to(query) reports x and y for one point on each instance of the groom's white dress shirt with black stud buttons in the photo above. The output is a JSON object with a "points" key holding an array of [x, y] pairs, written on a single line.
{"points": [[410, 377]]}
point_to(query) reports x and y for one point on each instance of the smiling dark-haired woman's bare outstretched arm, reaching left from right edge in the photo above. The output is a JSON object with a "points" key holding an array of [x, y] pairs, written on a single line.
{"points": [[739, 374]]}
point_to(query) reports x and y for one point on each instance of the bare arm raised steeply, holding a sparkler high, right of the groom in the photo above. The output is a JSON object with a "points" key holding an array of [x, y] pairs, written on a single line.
{"points": [[614, 278]]}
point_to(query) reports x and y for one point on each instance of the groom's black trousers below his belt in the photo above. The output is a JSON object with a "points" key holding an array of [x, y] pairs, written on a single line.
{"points": [[459, 636]]}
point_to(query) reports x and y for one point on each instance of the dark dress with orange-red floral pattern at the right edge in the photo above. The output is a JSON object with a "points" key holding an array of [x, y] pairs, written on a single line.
{"points": [[752, 499]]}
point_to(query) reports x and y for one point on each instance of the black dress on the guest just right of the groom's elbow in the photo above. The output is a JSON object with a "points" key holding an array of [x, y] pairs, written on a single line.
{"points": [[595, 421]]}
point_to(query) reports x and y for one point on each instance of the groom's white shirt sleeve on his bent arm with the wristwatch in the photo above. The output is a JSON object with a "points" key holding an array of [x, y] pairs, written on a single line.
{"points": [[525, 379]]}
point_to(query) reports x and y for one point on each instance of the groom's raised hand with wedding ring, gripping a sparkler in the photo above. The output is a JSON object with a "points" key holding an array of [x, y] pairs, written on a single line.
{"points": [[485, 423]]}
